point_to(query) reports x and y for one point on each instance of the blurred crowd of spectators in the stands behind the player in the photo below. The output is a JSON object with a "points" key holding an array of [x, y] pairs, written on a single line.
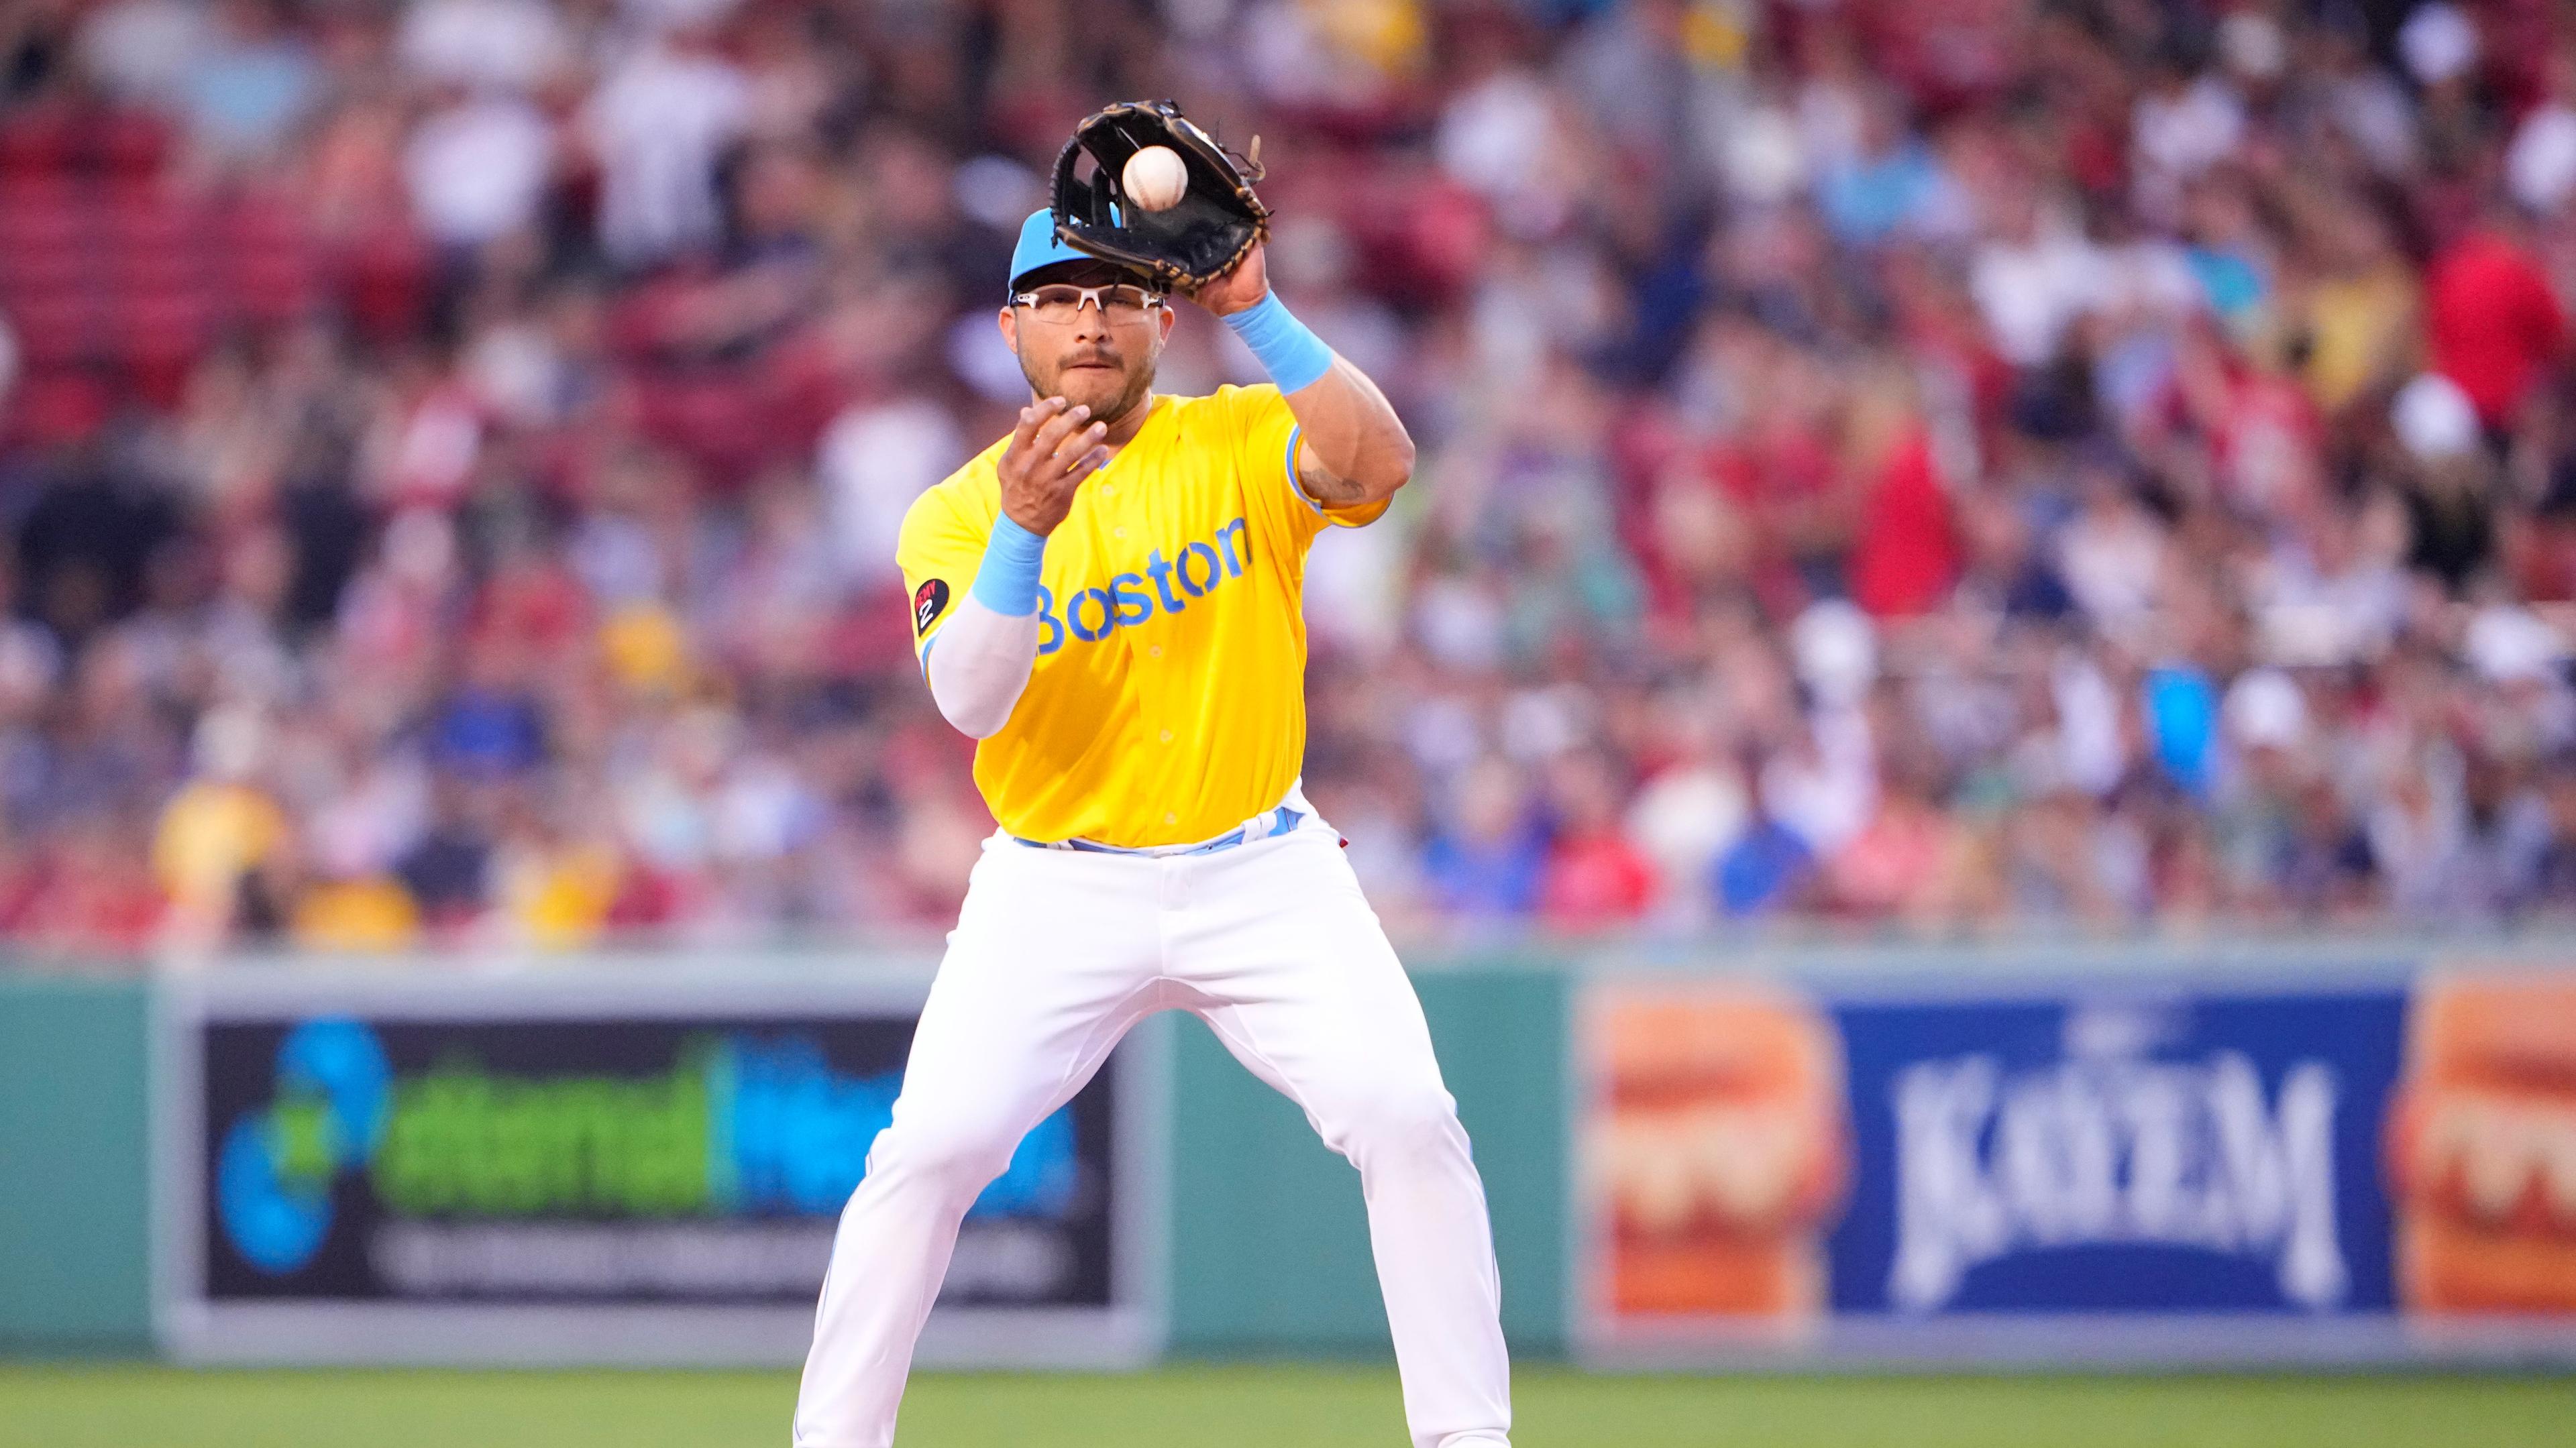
{"points": [[2088, 465]]}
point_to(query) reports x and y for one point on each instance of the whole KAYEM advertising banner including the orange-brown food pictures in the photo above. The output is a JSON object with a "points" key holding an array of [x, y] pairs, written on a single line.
{"points": [[2075, 1174]]}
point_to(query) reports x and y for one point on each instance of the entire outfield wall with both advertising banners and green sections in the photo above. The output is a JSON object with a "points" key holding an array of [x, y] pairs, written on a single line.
{"points": [[1982, 1156]]}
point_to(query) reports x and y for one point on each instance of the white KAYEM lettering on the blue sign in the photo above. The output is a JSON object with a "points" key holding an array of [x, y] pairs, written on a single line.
{"points": [[2114, 1153]]}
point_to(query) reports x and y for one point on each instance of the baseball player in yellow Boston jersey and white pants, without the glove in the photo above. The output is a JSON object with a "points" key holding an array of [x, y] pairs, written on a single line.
{"points": [[1109, 602]]}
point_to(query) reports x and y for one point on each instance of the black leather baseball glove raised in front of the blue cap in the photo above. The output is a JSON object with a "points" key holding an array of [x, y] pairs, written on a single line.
{"points": [[1186, 246]]}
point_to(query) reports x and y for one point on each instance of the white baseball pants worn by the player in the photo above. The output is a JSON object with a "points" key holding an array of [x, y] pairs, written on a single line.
{"points": [[1055, 957]]}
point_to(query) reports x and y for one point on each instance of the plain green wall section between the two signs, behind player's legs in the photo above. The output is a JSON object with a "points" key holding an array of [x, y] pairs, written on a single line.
{"points": [[1269, 1235]]}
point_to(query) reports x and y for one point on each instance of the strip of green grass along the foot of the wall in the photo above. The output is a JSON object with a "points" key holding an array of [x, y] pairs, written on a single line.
{"points": [[1271, 1408]]}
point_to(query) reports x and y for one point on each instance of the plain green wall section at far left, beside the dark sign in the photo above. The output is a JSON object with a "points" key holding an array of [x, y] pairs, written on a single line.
{"points": [[76, 1266]]}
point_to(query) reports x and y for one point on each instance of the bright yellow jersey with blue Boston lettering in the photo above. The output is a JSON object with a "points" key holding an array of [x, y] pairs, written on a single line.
{"points": [[1168, 702]]}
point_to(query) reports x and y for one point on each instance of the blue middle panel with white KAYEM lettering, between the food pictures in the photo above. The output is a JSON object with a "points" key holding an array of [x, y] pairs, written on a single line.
{"points": [[2119, 1153]]}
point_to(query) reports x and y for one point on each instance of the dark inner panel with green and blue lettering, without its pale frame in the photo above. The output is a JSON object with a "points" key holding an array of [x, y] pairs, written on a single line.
{"points": [[599, 1161]]}
